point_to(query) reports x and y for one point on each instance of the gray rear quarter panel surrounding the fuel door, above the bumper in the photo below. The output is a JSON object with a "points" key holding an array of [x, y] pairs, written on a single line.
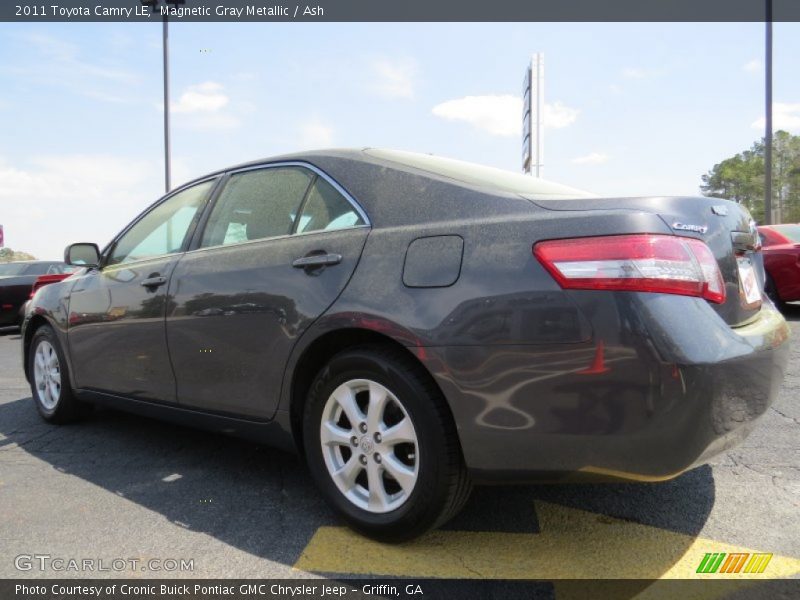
{"points": [[502, 296]]}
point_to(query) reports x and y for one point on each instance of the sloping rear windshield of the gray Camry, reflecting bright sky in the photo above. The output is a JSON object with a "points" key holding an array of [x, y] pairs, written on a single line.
{"points": [[482, 176]]}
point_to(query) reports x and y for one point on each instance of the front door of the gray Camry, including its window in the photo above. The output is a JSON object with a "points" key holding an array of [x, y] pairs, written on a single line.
{"points": [[116, 313]]}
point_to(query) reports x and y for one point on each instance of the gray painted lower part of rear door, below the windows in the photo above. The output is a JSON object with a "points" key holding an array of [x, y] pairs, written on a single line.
{"points": [[236, 312]]}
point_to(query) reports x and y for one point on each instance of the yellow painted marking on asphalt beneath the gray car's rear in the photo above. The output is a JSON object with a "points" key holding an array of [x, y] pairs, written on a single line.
{"points": [[573, 544]]}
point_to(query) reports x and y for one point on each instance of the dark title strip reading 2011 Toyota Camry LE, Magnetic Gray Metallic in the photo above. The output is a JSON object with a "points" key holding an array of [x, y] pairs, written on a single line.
{"points": [[405, 11]]}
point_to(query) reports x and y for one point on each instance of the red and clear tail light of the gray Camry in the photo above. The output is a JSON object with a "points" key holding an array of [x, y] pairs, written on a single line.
{"points": [[642, 263]]}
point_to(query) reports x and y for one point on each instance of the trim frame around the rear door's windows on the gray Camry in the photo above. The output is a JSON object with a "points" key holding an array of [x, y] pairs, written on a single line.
{"points": [[197, 236]]}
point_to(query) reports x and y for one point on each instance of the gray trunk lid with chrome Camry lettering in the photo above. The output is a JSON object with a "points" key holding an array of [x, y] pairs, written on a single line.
{"points": [[726, 227]]}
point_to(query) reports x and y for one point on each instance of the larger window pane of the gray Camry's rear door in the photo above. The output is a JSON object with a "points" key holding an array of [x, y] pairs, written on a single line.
{"points": [[257, 204]]}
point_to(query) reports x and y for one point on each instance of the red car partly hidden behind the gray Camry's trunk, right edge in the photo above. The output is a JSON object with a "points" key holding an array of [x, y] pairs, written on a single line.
{"points": [[781, 246]]}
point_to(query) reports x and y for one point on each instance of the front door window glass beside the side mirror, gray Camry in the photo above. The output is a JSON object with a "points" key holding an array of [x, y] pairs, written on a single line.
{"points": [[164, 229]]}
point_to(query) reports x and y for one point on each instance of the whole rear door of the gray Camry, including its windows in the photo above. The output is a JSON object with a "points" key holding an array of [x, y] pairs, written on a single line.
{"points": [[276, 249]]}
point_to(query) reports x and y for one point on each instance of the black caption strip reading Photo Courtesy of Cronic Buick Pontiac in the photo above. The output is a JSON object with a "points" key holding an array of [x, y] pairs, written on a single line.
{"points": [[387, 589]]}
